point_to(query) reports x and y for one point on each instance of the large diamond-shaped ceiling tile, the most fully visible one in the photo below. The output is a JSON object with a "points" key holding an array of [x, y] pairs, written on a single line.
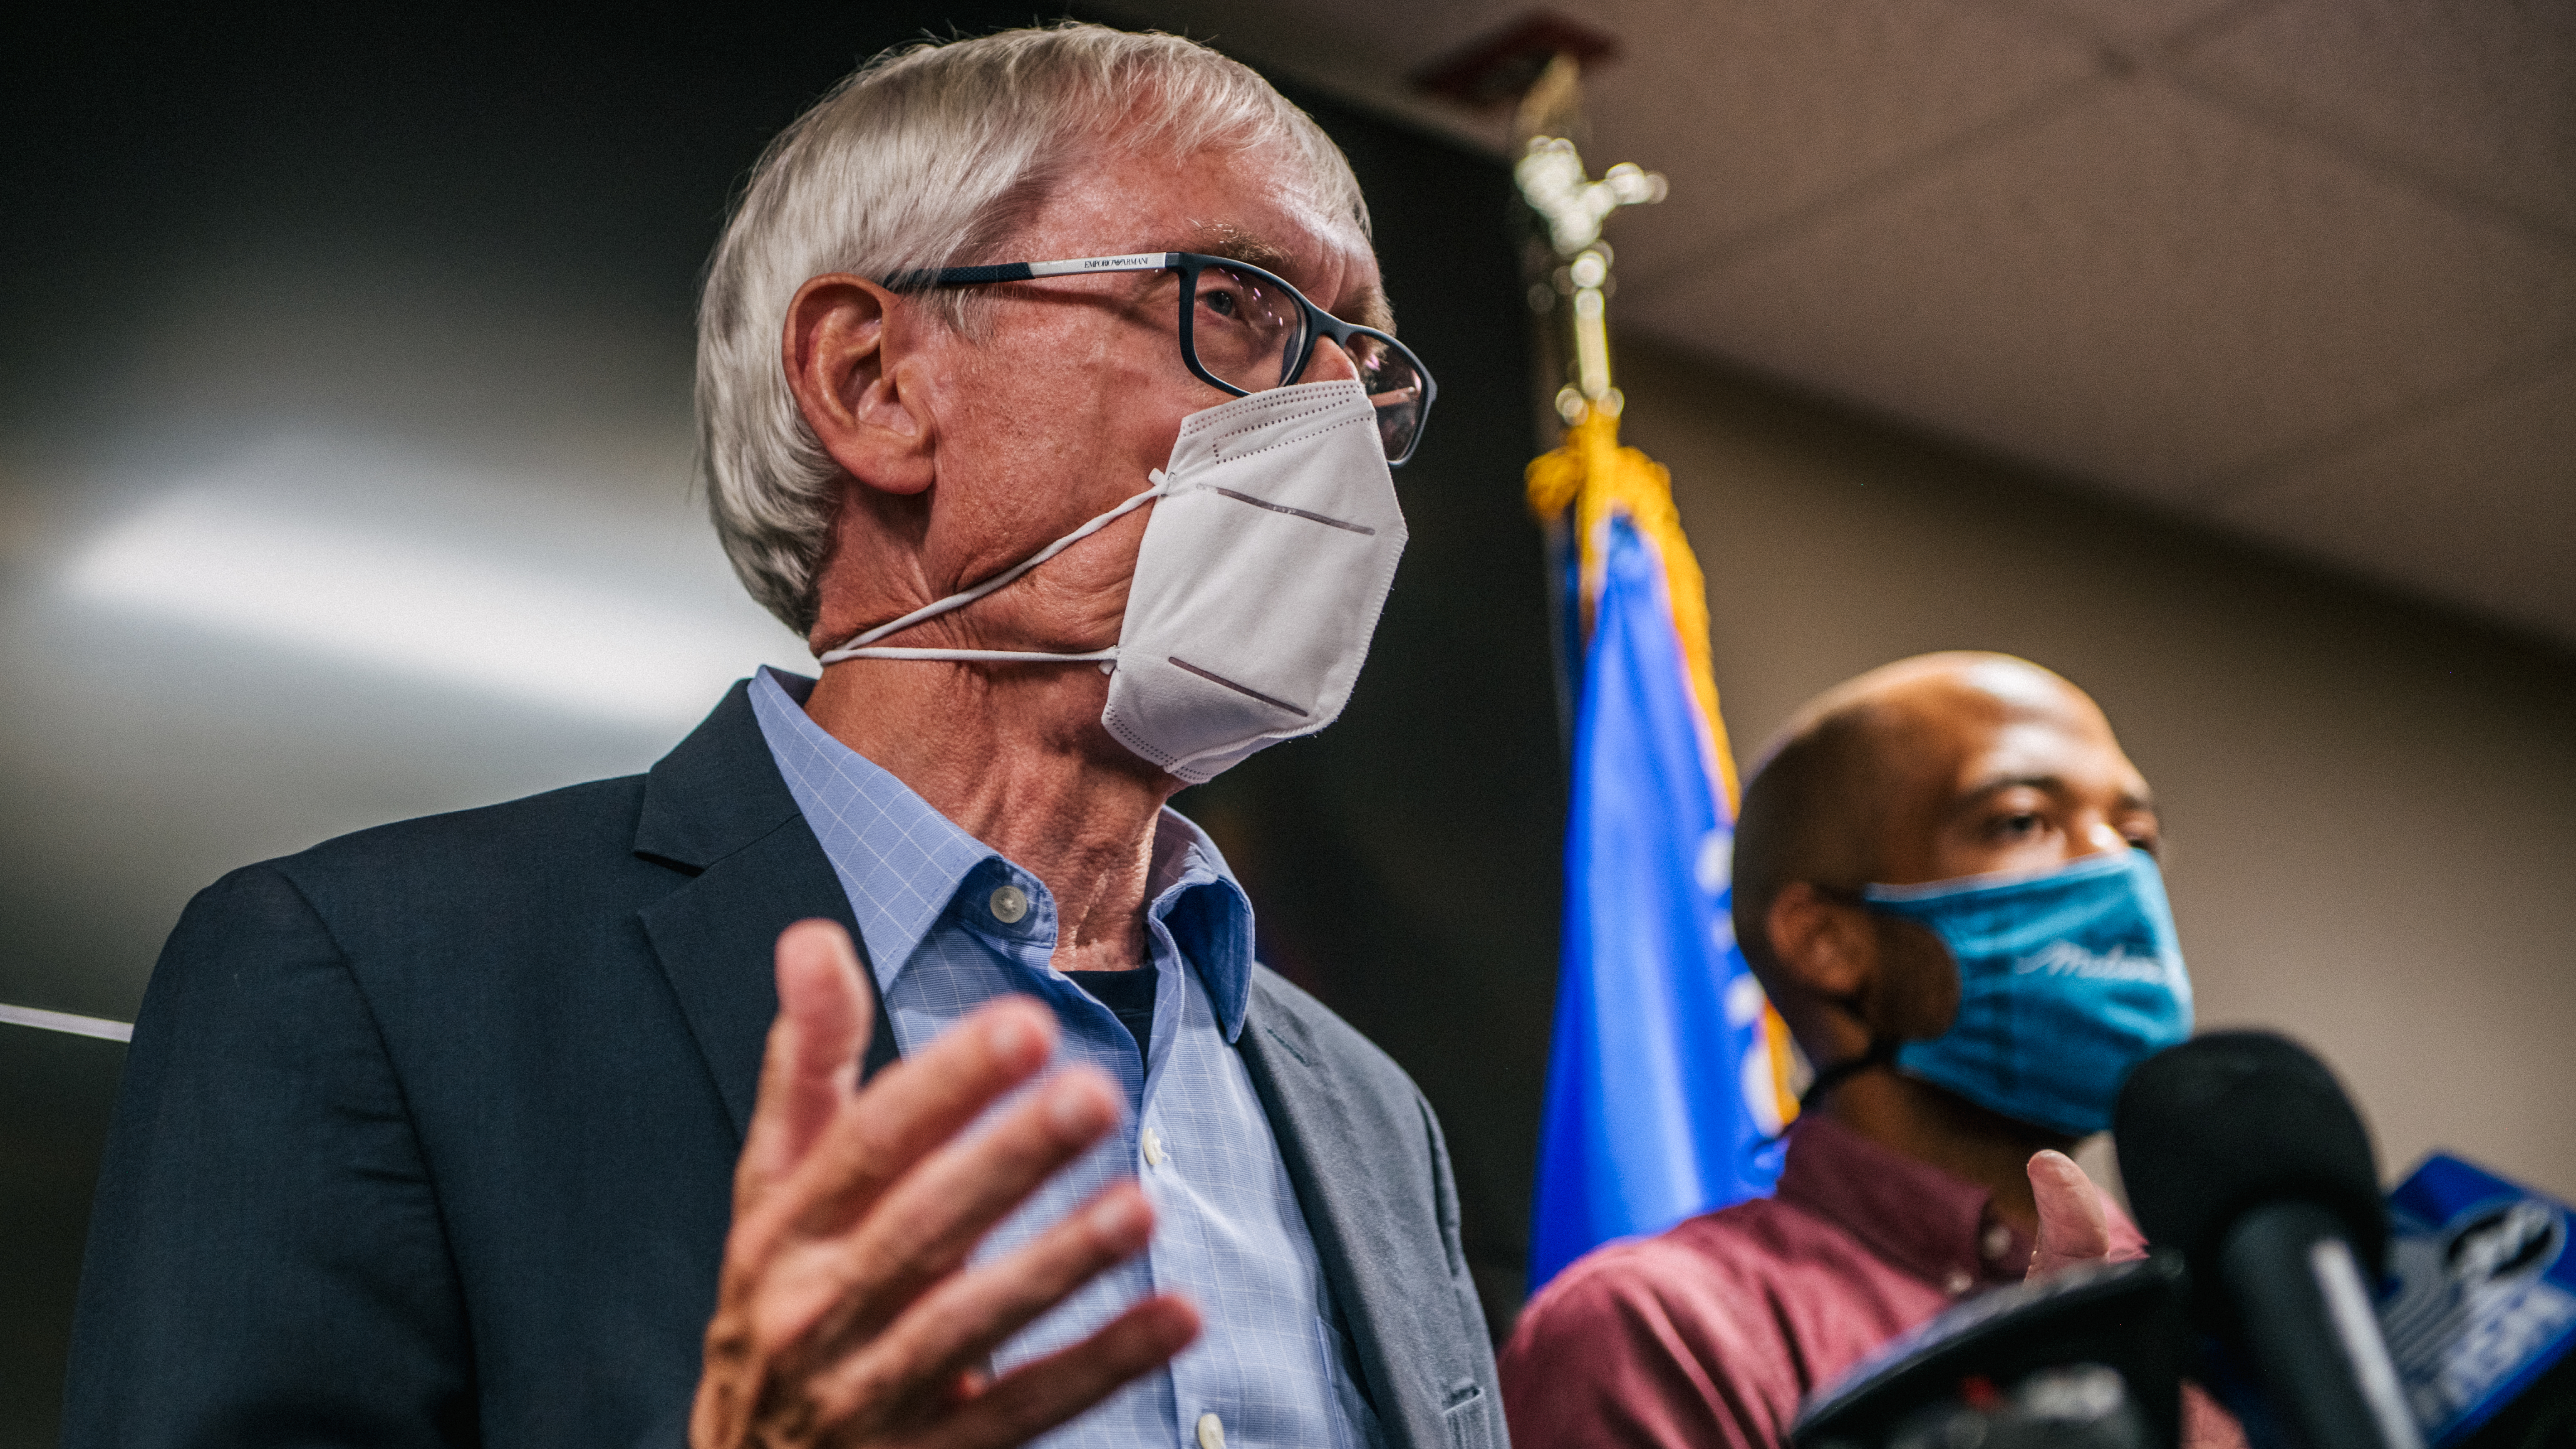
{"points": [[2145, 293]]}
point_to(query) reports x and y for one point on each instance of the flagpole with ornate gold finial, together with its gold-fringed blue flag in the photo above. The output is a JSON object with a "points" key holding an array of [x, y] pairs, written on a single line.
{"points": [[1668, 1071]]}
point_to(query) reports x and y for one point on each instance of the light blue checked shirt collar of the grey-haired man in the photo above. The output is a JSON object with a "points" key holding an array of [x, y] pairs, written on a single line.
{"points": [[905, 865]]}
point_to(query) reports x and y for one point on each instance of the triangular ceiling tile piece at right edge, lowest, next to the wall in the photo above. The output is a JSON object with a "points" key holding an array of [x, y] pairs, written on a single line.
{"points": [[2477, 504]]}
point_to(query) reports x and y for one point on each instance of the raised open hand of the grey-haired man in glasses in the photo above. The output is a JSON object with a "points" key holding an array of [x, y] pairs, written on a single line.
{"points": [[849, 1314]]}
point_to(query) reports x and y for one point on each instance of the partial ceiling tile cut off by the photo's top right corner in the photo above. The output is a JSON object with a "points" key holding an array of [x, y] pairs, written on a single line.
{"points": [[2474, 92]]}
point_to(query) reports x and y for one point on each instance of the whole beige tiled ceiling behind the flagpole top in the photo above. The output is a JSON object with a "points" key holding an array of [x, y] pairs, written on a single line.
{"points": [[2217, 254]]}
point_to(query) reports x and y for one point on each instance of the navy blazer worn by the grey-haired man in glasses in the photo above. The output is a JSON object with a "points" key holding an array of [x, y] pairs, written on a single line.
{"points": [[429, 1136]]}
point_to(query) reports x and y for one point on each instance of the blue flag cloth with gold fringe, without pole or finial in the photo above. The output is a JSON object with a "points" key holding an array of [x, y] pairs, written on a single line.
{"points": [[1665, 1076]]}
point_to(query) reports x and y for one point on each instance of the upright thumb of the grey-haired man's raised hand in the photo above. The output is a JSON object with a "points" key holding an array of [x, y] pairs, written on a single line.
{"points": [[813, 1056]]}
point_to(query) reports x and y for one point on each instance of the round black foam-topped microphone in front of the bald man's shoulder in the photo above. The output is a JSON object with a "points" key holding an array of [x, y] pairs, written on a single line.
{"points": [[2242, 1151]]}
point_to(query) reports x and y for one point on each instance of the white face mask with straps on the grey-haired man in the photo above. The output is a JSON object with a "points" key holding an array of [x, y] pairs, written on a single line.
{"points": [[1256, 592]]}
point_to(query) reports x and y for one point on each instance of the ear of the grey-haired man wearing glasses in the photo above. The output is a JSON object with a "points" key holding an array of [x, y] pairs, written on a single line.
{"points": [[854, 357]]}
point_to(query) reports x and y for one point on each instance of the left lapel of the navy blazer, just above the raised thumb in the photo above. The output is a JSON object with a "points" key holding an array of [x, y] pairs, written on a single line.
{"points": [[717, 811]]}
